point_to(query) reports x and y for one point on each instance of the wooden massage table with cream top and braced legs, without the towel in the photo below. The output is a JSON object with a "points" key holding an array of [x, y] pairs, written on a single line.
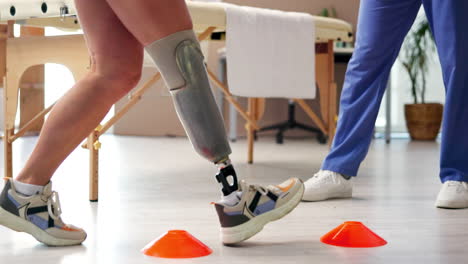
{"points": [[70, 51]]}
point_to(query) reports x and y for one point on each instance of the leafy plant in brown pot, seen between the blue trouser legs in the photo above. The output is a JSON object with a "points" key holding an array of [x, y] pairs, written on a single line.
{"points": [[422, 119]]}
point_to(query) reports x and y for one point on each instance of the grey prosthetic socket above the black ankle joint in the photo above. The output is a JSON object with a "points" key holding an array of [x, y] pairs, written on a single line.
{"points": [[181, 64]]}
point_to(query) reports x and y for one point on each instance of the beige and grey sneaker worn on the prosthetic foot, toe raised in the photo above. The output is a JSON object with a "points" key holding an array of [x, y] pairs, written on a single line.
{"points": [[257, 206]]}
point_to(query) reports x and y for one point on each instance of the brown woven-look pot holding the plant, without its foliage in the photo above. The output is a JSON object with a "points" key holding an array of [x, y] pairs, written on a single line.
{"points": [[423, 120]]}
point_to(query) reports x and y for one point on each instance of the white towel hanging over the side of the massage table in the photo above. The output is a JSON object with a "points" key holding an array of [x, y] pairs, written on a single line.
{"points": [[270, 53]]}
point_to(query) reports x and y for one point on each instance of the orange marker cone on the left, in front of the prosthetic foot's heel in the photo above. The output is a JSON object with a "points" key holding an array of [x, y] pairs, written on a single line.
{"points": [[176, 244]]}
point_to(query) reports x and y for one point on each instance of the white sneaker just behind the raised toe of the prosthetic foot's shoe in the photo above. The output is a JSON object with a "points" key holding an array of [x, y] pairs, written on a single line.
{"points": [[326, 185]]}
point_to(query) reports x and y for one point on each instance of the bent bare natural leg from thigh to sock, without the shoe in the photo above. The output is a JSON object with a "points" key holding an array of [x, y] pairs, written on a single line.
{"points": [[117, 58]]}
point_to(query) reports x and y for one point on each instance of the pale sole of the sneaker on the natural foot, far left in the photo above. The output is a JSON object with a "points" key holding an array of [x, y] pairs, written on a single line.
{"points": [[18, 224]]}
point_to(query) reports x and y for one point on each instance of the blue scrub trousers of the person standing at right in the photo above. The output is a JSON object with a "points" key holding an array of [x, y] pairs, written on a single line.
{"points": [[382, 26]]}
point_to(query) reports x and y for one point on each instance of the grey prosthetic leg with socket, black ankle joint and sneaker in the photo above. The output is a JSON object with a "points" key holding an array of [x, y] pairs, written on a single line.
{"points": [[181, 65]]}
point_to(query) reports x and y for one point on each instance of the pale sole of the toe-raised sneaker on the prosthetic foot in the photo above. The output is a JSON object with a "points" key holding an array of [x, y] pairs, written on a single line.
{"points": [[237, 234]]}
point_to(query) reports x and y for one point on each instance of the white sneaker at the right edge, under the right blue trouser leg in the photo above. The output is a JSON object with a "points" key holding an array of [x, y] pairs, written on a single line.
{"points": [[453, 194]]}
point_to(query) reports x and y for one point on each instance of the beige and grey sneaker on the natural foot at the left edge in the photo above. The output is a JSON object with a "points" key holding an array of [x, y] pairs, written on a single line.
{"points": [[37, 215]]}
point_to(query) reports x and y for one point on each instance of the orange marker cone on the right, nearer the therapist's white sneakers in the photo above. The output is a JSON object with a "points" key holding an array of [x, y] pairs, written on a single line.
{"points": [[353, 234]]}
